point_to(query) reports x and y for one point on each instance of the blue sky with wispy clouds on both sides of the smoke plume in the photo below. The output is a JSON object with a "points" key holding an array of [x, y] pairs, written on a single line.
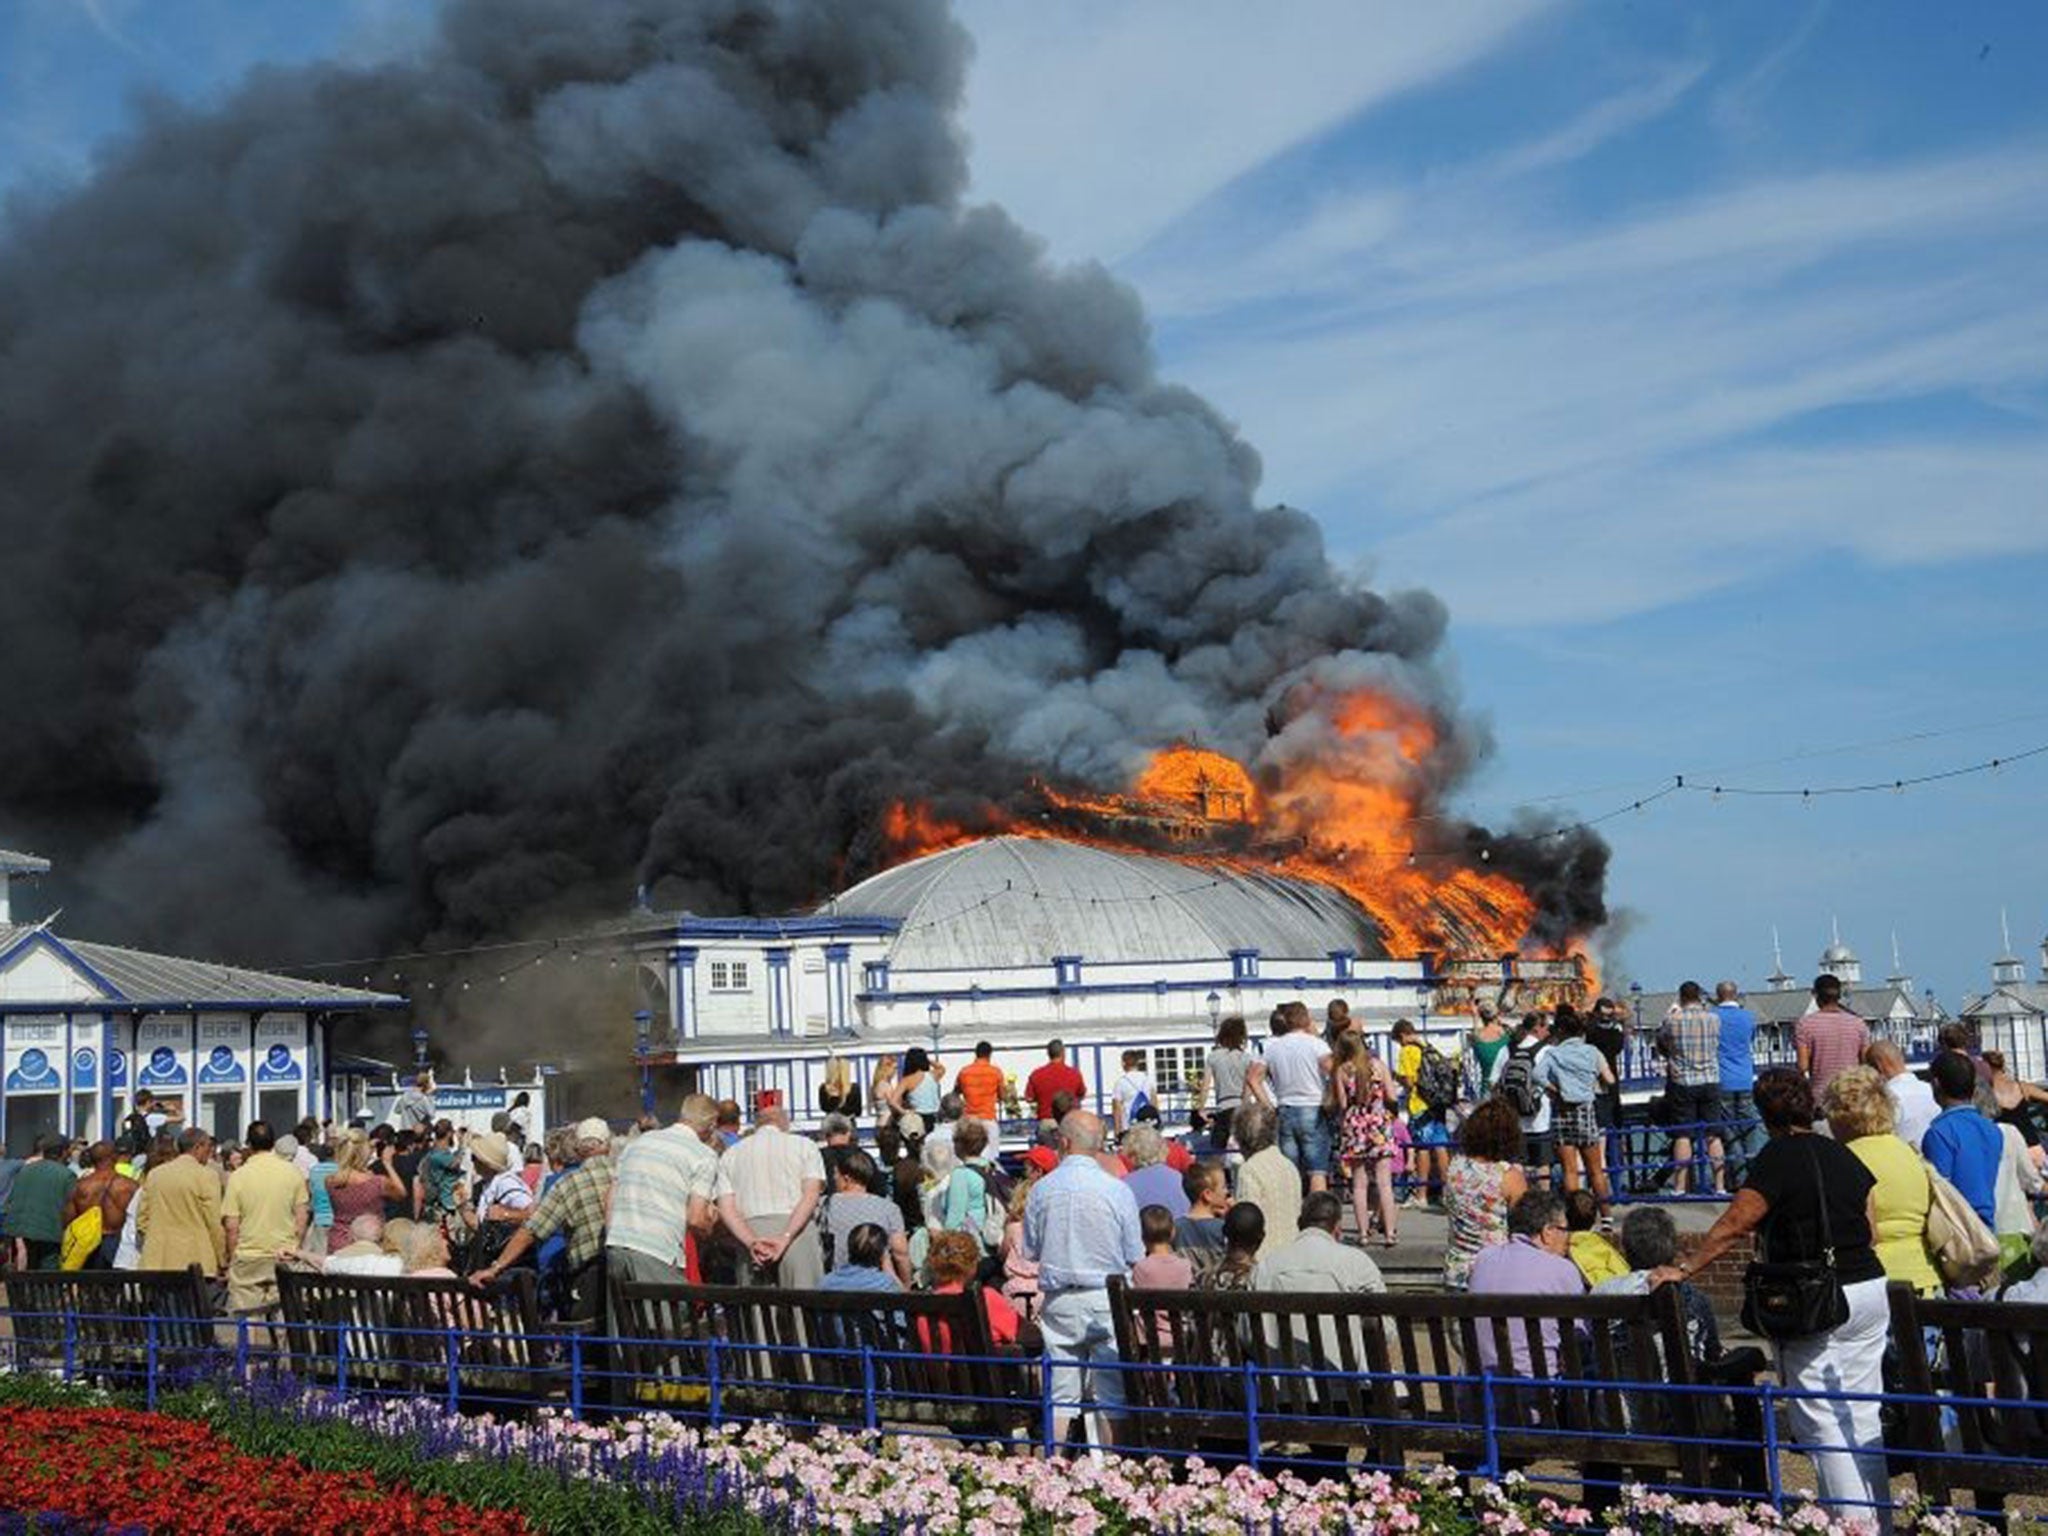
{"points": [[1697, 355]]}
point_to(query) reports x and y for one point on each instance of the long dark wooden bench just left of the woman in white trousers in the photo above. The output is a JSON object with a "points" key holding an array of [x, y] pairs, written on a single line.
{"points": [[1367, 1373]]}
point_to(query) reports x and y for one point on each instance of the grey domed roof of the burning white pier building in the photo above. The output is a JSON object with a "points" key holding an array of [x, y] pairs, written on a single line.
{"points": [[1019, 902]]}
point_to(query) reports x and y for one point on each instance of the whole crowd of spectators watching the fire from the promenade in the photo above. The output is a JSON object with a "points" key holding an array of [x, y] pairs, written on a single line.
{"points": [[1844, 1154]]}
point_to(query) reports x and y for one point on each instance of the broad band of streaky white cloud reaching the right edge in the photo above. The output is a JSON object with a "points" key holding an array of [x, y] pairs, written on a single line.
{"points": [[1625, 415]]}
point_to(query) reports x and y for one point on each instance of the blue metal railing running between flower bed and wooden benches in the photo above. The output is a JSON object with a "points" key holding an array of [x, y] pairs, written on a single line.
{"points": [[468, 1371]]}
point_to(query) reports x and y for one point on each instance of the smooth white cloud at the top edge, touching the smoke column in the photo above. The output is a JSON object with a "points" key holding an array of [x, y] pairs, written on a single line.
{"points": [[1099, 122]]}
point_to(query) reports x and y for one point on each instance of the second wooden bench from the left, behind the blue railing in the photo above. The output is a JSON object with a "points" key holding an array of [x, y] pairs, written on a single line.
{"points": [[423, 1334]]}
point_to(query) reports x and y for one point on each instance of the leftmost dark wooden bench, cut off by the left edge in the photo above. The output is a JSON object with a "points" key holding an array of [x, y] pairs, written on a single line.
{"points": [[97, 1324]]}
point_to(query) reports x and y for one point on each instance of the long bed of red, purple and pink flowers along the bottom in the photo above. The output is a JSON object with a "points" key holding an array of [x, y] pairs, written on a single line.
{"points": [[273, 1457]]}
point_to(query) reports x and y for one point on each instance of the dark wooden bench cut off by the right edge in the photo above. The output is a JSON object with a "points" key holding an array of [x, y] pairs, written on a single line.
{"points": [[1994, 1359]]}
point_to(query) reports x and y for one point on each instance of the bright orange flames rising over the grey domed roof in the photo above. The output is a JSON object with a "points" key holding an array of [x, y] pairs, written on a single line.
{"points": [[1351, 814]]}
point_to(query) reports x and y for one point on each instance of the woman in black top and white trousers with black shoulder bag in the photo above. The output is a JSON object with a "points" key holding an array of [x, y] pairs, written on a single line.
{"points": [[1816, 1291]]}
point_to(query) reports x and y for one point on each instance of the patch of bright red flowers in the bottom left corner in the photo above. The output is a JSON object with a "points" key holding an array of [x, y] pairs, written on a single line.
{"points": [[148, 1471]]}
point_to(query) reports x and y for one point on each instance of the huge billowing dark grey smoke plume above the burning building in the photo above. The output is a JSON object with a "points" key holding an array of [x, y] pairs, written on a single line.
{"points": [[441, 497]]}
